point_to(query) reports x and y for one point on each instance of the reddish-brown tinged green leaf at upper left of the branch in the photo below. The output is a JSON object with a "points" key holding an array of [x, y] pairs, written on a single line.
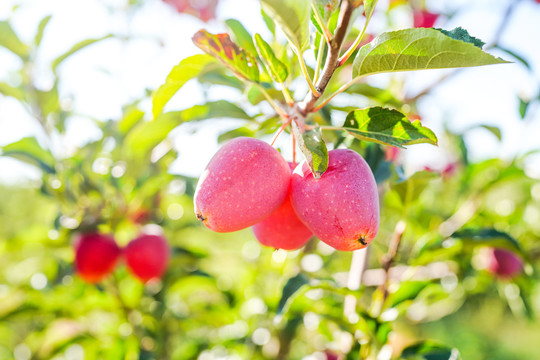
{"points": [[225, 50]]}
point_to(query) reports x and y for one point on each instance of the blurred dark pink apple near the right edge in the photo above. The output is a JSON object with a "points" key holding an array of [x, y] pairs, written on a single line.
{"points": [[502, 263]]}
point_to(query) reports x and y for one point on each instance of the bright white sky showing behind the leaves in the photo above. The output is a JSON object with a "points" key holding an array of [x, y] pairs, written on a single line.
{"points": [[106, 76]]}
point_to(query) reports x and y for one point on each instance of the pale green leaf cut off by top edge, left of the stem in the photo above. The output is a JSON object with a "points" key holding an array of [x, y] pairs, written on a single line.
{"points": [[292, 16]]}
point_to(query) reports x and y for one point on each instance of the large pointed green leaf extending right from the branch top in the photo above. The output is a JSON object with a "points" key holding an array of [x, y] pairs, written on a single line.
{"points": [[417, 49]]}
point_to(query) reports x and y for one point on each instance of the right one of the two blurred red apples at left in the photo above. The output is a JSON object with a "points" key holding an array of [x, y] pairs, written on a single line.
{"points": [[147, 256]]}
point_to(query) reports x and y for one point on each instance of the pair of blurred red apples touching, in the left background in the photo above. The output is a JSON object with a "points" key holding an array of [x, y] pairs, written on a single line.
{"points": [[97, 255]]}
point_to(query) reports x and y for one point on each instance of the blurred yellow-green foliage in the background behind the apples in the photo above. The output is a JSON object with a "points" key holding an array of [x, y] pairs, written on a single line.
{"points": [[225, 296]]}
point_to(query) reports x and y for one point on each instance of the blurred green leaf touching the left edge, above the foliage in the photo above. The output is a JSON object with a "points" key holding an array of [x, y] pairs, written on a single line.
{"points": [[29, 151]]}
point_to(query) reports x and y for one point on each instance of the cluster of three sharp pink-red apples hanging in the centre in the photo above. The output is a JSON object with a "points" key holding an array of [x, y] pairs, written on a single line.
{"points": [[248, 183]]}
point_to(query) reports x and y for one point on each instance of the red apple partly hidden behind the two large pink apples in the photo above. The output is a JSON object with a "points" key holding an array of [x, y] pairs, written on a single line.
{"points": [[282, 229]]}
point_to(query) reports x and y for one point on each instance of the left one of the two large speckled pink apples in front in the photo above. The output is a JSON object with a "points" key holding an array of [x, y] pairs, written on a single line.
{"points": [[244, 182]]}
